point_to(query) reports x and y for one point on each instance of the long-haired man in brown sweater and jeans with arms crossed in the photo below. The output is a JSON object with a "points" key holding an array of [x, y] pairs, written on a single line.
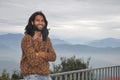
{"points": [[37, 49]]}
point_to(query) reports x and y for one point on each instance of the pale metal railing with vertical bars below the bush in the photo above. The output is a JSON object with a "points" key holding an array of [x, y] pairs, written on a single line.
{"points": [[105, 73]]}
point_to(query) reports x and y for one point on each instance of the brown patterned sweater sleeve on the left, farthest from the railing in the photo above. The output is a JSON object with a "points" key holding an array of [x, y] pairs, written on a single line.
{"points": [[29, 52]]}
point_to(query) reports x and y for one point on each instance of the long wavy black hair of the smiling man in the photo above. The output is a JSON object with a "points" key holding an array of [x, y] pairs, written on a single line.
{"points": [[29, 29]]}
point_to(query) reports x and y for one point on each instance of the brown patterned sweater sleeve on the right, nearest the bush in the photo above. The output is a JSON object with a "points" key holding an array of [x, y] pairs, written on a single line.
{"points": [[51, 54]]}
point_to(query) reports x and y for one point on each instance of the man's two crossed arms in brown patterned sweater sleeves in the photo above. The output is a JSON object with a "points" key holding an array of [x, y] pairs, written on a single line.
{"points": [[35, 58]]}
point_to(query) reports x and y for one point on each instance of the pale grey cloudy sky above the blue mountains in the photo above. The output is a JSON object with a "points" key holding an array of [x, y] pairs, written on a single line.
{"points": [[73, 20]]}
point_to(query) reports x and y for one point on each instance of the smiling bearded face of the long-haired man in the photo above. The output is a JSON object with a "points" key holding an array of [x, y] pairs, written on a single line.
{"points": [[39, 22]]}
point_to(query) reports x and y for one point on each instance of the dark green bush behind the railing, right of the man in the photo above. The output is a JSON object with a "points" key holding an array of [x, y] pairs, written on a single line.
{"points": [[69, 64]]}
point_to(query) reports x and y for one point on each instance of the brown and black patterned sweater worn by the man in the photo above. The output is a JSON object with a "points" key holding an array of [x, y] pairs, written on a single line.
{"points": [[36, 55]]}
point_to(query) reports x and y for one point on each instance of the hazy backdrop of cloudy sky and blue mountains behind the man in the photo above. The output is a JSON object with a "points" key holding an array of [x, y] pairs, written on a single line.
{"points": [[84, 28]]}
